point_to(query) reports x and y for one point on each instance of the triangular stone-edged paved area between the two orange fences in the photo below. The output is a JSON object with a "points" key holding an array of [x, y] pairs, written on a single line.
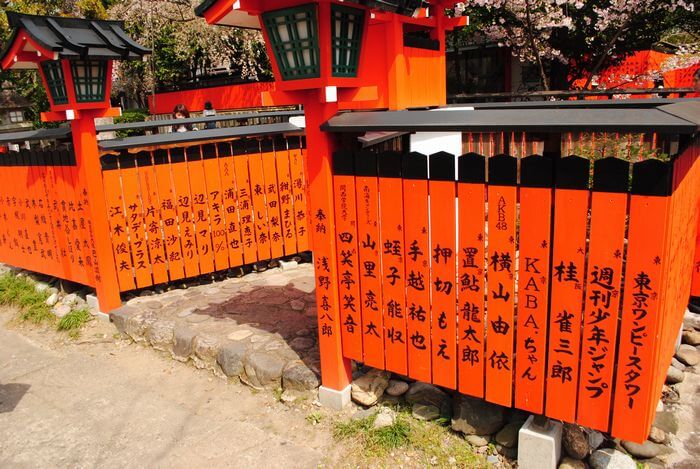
{"points": [[260, 328]]}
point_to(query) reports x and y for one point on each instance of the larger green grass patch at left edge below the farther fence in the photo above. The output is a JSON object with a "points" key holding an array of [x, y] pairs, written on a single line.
{"points": [[21, 292]]}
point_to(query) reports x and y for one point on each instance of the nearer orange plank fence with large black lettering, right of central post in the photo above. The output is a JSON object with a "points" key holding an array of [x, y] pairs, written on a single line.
{"points": [[554, 285]]}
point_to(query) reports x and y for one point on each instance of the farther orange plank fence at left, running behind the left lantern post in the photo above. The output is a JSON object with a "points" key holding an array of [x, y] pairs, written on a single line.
{"points": [[173, 212]]}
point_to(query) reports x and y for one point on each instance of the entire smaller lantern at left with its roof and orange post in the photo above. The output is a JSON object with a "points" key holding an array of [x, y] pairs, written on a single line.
{"points": [[74, 58]]}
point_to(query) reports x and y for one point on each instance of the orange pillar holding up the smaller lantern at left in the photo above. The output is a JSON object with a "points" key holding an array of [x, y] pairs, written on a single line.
{"points": [[90, 177]]}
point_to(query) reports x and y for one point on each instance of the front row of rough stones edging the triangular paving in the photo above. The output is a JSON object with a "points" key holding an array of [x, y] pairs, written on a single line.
{"points": [[234, 359]]}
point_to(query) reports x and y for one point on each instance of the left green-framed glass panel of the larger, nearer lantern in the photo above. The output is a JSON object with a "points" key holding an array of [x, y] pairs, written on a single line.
{"points": [[293, 34]]}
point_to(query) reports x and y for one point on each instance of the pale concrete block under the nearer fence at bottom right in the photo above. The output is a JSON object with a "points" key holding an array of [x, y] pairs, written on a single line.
{"points": [[539, 444]]}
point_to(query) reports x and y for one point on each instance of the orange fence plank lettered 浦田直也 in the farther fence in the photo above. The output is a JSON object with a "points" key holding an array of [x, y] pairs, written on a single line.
{"points": [[230, 204]]}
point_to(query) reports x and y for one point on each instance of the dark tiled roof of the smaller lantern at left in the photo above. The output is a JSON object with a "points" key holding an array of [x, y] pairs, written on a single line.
{"points": [[35, 38]]}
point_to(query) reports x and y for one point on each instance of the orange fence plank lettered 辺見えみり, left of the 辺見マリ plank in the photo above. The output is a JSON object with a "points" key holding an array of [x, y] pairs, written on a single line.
{"points": [[185, 217]]}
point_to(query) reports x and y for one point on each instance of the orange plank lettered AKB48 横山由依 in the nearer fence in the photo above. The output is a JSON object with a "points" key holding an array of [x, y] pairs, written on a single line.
{"points": [[501, 294]]}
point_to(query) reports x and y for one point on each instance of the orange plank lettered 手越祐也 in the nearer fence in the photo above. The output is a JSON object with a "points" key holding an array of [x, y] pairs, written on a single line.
{"points": [[417, 261]]}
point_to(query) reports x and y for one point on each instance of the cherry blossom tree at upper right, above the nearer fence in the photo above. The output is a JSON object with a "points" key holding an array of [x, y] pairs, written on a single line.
{"points": [[583, 35]]}
